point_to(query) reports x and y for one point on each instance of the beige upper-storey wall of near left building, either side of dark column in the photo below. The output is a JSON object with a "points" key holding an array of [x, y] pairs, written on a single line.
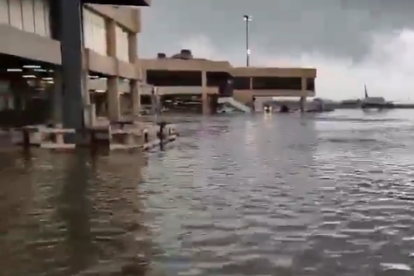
{"points": [[26, 33]]}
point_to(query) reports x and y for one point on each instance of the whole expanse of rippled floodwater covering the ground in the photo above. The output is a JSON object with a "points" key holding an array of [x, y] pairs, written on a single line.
{"points": [[323, 195]]}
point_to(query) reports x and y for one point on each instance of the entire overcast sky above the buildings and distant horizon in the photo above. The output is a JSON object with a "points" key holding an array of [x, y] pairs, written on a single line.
{"points": [[350, 42]]}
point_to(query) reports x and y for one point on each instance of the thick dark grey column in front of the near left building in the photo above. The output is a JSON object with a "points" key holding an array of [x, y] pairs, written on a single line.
{"points": [[72, 63]]}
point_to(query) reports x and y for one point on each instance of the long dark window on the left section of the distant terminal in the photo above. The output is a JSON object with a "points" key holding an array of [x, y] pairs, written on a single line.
{"points": [[174, 78]]}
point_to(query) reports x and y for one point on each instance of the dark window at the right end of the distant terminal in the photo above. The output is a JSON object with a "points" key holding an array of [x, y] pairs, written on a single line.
{"points": [[277, 83]]}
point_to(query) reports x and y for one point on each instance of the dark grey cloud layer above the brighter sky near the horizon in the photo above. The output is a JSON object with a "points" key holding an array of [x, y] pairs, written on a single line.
{"points": [[333, 27]]}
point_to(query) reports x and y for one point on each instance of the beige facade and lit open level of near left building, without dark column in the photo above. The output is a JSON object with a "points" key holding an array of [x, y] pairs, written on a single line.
{"points": [[30, 39]]}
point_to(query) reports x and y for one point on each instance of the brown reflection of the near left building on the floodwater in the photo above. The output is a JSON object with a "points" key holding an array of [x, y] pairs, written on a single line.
{"points": [[62, 214]]}
